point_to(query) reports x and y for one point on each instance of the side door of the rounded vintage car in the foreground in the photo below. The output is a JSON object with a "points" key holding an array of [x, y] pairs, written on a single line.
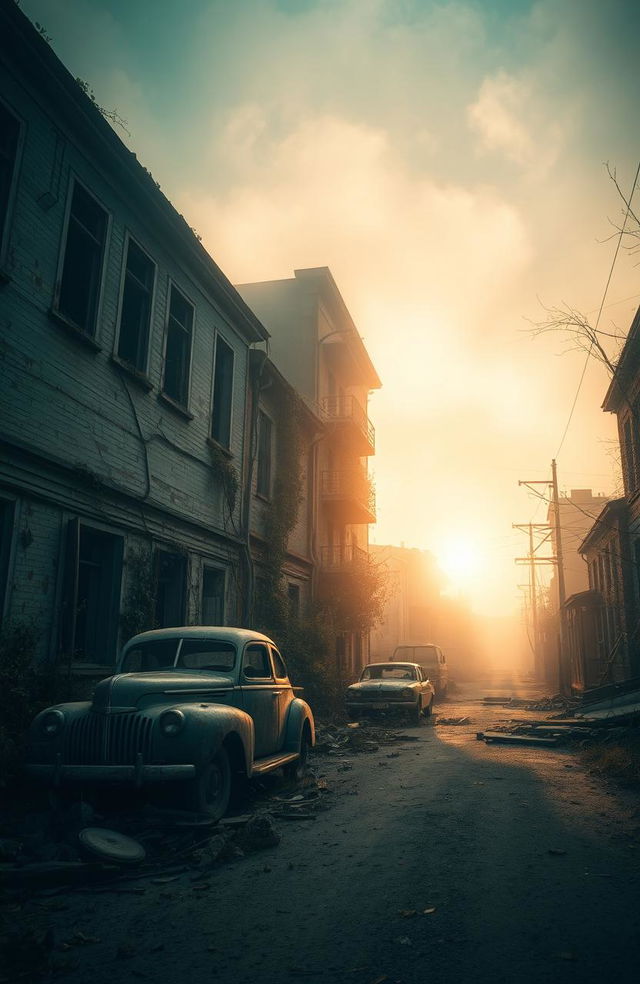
{"points": [[260, 697]]}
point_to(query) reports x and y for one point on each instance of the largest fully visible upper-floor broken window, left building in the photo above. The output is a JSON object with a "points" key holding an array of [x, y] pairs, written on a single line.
{"points": [[83, 261]]}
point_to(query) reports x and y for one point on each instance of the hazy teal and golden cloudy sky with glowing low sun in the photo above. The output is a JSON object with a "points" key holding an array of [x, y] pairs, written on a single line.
{"points": [[446, 161]]}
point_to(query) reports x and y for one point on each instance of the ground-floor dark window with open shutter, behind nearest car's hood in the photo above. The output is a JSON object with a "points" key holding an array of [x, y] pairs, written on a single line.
{"points": [[91, 600]]}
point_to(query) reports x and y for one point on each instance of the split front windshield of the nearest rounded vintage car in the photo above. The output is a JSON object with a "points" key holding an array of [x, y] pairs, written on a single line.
{"points": [[195, 654]]}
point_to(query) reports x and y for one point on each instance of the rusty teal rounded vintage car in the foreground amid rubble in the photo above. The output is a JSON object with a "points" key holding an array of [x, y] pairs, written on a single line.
{"points": [[195, 707]]}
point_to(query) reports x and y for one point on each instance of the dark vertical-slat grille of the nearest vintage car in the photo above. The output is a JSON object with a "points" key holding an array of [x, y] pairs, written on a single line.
{"points": [[114, 739]]}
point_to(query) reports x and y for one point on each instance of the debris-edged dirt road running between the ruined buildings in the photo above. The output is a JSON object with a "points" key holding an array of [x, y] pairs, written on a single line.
{"points": [[442, 859]]}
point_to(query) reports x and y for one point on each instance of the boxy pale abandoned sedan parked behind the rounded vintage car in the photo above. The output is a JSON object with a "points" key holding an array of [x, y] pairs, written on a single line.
{"points": [[391, 687]]}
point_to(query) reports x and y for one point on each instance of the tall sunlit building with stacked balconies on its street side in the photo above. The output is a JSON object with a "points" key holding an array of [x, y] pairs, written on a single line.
{"points": [[316, 347]]}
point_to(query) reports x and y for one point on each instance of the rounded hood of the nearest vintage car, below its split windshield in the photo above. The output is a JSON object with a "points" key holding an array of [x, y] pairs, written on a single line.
{"points": [[128, 689]]}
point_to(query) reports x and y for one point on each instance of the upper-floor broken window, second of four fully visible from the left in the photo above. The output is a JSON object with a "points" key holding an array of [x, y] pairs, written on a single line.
{"points": [[135, 310]]}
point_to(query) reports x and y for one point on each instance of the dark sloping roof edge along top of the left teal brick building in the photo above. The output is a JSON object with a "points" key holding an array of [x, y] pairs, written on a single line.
{"points": [[26, 50]]}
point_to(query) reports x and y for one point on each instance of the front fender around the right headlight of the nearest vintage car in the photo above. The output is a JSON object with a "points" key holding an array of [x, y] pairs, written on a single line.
{"points": [[206, 729]]}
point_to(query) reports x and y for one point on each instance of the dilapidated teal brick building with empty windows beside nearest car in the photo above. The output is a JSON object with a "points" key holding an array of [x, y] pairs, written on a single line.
{"points": [[124, 353]]}
